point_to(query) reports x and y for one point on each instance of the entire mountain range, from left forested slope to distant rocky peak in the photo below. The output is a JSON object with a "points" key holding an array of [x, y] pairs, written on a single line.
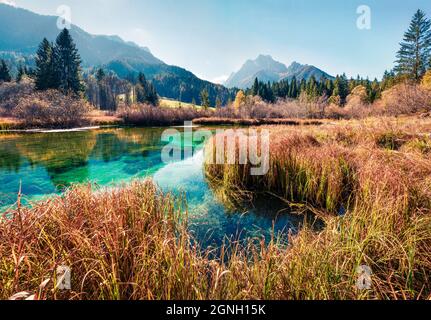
{"points": [[21, 32]]}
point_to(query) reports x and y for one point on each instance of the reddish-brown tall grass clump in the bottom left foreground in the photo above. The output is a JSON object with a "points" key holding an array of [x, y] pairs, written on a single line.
{"points": [[127, 243]]}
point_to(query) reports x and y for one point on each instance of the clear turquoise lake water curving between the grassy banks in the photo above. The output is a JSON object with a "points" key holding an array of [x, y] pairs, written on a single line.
{"points": [[44, 164]]}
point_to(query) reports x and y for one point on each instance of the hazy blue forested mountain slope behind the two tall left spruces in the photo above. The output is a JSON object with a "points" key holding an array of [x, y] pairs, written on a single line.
{"points": [[21, 32]]}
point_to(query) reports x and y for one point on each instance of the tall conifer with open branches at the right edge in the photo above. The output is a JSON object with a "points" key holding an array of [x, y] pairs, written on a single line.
{"points": [[415, 52]]}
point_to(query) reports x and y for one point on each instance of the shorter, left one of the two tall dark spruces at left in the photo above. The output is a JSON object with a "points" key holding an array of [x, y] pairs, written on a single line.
{"points": [[45, 73]]}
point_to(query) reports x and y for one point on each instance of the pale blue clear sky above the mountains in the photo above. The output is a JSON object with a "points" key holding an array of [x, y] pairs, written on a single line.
{"points": [[213, 38]]}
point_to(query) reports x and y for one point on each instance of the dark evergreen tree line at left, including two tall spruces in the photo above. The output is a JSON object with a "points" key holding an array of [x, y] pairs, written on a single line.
{"points": [[58, 66]]}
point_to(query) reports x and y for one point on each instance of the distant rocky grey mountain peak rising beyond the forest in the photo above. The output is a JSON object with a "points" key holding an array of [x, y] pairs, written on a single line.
{"points": [[265, 68]]}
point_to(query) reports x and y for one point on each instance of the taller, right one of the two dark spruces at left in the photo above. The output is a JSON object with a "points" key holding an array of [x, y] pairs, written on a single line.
{"points": [[67, 63]]}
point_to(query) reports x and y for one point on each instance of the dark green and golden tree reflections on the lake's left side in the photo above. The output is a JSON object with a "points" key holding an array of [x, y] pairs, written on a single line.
{"points": [[61, 153]]}
